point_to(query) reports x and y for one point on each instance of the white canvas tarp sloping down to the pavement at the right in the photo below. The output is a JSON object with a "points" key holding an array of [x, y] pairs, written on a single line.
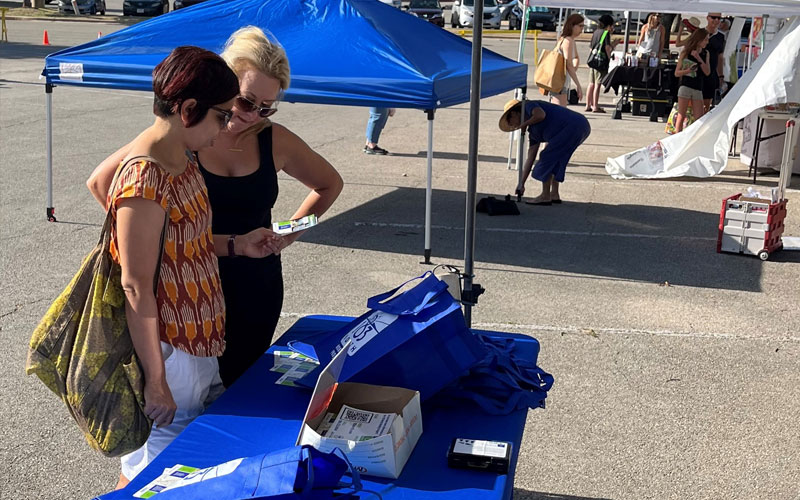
{"points": [[701, 150]]}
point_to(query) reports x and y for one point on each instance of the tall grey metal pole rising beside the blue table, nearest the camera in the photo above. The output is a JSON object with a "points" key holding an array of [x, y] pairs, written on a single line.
{"points": [[471, 291]]}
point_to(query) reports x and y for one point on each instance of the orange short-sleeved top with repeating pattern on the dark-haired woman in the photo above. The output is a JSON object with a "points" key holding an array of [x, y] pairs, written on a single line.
{"points": [[191, 306]]}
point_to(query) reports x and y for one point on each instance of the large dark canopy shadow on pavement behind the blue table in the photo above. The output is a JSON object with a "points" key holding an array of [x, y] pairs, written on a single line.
{"points": [[642, 243]]}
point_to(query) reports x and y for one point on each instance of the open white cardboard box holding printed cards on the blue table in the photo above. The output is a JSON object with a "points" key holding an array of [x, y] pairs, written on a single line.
{"points": [[384, 456]]}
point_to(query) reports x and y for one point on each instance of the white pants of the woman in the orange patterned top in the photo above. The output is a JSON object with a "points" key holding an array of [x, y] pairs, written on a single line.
{"points": [[194, 382]]}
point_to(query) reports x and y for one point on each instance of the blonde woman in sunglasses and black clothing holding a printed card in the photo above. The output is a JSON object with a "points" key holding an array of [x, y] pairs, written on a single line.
{"points": [[240, 171]]}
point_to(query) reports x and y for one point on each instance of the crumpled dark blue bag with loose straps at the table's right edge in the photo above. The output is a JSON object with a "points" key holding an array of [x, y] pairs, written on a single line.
{"points": [[502, 382]]}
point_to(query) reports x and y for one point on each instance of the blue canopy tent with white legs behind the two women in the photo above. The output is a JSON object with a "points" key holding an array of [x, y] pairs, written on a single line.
{"points": [[346, 52]]}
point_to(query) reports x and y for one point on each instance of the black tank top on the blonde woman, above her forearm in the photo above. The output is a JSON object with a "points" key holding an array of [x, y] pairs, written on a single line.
{"points": [[241, 204]]}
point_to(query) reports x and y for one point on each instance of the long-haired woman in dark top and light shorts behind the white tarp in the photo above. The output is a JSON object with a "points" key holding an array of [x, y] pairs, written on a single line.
{"points": [[692, 67]]}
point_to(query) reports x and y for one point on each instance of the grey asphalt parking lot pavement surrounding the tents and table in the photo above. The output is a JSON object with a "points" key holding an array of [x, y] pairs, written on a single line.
{"points": [[675, 367]]}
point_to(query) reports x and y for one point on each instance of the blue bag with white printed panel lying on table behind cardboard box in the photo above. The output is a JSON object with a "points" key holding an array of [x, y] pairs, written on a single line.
{"points": [[417, 340]]}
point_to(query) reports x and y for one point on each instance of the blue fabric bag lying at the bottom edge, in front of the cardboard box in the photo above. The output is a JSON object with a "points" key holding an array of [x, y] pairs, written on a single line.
{"points": [[299, 472]]}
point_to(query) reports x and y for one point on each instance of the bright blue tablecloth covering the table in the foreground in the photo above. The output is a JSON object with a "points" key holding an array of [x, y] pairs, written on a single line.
{"points": [[256, 416]]}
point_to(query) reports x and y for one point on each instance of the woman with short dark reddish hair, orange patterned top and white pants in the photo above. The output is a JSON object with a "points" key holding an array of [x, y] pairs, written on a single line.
{"points": [[178, 330]]}
